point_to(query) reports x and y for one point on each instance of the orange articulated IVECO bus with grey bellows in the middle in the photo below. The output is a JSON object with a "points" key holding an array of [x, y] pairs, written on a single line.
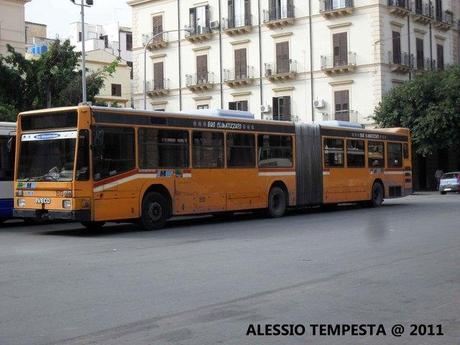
{"points": [[96, 164]]}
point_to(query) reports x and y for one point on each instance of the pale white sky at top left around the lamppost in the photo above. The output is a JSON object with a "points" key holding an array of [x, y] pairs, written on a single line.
{"points": [[58, 14]]}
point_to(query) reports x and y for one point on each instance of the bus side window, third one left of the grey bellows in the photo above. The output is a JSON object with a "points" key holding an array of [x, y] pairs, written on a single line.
{"points": [[208, 149]]}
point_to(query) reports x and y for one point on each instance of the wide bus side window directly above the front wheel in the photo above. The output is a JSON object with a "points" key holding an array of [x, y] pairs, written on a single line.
{"points": [[163, 148]]}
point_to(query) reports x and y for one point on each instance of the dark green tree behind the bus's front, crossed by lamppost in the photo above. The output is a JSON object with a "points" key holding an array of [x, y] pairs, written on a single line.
{"points": [[52, 80]]}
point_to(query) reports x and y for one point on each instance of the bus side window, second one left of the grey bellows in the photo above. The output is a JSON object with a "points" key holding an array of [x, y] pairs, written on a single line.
{"points": [[241, 151]]}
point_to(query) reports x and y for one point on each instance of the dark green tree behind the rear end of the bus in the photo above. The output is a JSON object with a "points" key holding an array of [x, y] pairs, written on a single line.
{"points": [[430, 106]]}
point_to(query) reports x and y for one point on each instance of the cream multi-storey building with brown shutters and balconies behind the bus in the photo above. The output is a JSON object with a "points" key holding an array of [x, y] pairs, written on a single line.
{"points": [[300, 60]]}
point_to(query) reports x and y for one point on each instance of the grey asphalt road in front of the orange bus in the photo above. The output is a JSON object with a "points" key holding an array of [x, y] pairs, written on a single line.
{"points": [[204, 281]]}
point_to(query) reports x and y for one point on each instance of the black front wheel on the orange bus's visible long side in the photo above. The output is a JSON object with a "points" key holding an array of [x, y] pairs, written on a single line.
{"points": [[155, 211]]}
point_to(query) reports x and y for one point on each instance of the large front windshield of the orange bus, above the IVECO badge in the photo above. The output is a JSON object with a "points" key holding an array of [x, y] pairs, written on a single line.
{"points": [[47, 157]]}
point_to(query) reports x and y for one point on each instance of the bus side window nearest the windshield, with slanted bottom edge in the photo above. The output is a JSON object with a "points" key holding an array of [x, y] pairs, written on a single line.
{"points": [[116, 154]]}
